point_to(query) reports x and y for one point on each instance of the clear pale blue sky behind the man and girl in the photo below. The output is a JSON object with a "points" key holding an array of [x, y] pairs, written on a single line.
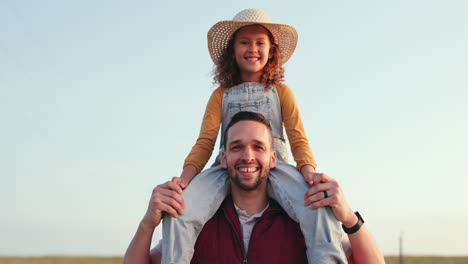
{"points": [[100, 101]]}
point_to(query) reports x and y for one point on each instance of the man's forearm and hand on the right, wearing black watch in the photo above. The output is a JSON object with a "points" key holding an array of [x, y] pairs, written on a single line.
{"points": [[364, 247]]}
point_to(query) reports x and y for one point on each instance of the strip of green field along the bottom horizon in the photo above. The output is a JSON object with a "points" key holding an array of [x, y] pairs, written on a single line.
{"points": [[115, 260]]}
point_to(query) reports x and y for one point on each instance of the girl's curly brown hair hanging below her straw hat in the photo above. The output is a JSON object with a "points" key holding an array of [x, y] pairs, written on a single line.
{"points": [[227, 72]]}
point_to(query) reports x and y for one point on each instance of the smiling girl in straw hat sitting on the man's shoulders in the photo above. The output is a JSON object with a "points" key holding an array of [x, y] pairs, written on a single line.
{"points": [[249, 52]]}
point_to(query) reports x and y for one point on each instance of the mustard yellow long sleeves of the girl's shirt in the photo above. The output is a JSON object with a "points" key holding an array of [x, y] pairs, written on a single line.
{"points": [[292, 122]]}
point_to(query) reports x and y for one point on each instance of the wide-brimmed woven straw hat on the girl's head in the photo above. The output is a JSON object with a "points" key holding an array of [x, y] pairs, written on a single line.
{"points": [[285, 36]]}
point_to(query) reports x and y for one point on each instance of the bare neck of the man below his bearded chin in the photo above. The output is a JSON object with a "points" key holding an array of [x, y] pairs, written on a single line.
{"points": [[251, 201]]}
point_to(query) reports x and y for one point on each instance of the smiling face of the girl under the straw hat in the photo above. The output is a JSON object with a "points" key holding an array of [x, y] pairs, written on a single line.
{"points": [[252, 51]]}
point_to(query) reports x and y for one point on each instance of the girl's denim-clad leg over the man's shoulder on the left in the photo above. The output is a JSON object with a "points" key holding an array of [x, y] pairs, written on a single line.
{"points": [[202, 197]]}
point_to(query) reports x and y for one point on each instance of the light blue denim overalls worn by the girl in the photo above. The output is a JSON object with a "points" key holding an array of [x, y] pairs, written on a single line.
{"points": [[286, 185]]}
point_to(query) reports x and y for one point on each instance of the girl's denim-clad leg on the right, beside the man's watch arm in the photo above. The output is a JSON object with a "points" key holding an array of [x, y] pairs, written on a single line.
{"points": [[321, 229]]}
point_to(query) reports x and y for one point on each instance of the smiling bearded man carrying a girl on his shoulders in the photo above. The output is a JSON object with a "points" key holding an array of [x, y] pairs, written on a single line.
{"points": [[232, 235]]}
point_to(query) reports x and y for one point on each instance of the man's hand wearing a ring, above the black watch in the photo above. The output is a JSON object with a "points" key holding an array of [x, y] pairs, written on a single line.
{"points": [[315, 198]]}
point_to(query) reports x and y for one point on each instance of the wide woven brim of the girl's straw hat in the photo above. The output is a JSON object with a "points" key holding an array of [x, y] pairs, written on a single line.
{"points": [[285, 36]]}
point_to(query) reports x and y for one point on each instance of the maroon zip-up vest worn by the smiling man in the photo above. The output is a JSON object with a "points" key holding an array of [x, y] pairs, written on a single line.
{"points": [[276, 238]]}
